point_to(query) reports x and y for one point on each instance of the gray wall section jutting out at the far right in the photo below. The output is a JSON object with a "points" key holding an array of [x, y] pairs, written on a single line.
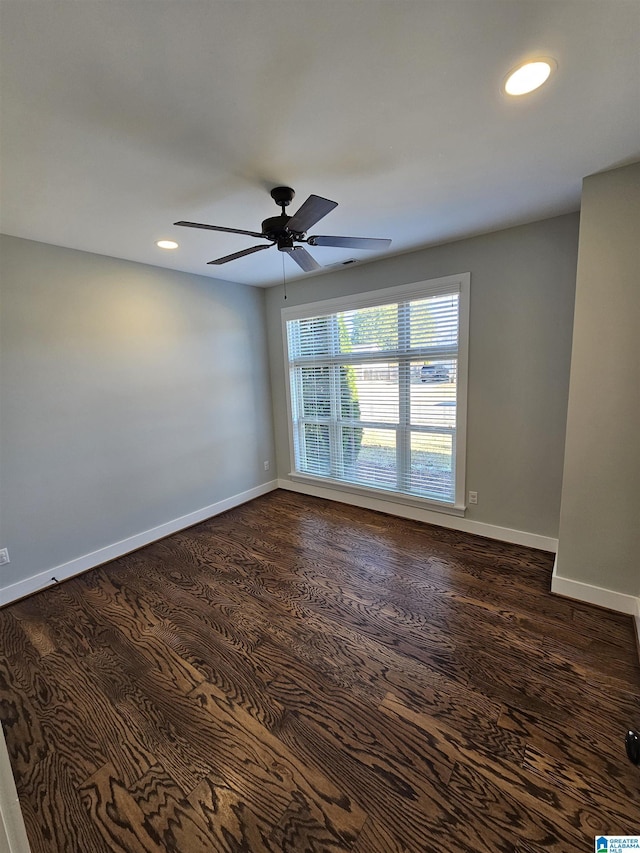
{"points": [[600, 515]]}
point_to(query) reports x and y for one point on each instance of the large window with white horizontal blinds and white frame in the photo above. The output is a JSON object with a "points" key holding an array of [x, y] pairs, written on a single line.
{"points": [[377, 390]]}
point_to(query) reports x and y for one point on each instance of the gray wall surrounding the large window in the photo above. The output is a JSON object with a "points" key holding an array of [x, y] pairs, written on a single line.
{"points": [[522, 292]]}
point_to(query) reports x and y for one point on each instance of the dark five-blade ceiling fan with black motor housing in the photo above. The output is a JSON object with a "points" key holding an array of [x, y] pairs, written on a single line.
{"points": [[283, 231]]}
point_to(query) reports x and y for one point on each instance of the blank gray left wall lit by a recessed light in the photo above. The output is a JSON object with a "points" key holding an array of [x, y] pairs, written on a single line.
{"points": [[129, 396]]}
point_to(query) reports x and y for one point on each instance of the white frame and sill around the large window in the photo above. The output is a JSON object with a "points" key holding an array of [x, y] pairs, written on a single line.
{"points": [[461, 284]]}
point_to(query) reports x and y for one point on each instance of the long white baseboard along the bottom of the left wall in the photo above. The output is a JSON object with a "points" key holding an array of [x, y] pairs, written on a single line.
{"points": [[118, 549]]}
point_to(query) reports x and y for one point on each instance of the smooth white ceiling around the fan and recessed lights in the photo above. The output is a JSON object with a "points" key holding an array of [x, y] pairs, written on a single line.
{"points": [[121, 116]]}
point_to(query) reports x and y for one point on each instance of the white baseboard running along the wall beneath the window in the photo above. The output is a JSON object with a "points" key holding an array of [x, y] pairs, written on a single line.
{"points": [[491, 531]]}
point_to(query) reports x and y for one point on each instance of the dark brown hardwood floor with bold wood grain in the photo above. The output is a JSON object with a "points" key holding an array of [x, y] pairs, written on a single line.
{"points": [[299, 675]]}
